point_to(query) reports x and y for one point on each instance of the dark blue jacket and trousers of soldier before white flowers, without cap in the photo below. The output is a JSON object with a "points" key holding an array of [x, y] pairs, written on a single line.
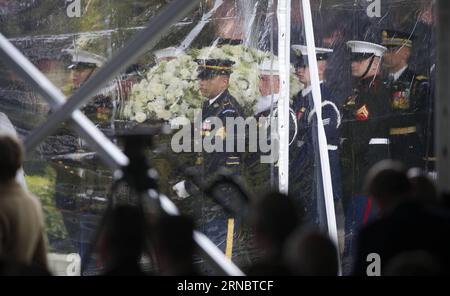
{"points": [[210, 216]]}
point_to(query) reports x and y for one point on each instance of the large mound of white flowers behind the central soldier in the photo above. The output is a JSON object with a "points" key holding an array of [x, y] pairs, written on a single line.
{"points": [[171, 90]]}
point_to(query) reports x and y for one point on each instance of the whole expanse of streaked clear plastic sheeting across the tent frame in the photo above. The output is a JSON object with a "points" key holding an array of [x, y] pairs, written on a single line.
{"points": [[222, 63]]}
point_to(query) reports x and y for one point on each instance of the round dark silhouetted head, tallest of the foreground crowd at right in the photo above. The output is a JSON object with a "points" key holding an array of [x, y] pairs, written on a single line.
{"points": [[387, 183]]}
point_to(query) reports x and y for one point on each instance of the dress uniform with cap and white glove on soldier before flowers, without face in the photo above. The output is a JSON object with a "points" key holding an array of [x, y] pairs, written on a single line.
{"points": [[210, 217]]}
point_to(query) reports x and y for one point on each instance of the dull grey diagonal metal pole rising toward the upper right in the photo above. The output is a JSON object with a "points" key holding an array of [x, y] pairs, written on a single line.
{"points": [[155, 29]]}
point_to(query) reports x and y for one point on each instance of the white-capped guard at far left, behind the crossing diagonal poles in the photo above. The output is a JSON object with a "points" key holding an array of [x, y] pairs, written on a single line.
{"points": [[84, 65]]}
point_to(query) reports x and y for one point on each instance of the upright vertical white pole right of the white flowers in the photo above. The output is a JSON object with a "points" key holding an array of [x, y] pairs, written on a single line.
{"points": [[284, 41]]}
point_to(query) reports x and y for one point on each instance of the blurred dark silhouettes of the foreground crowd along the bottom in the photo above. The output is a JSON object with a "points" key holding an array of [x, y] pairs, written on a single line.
{"points": [[410, 234]]}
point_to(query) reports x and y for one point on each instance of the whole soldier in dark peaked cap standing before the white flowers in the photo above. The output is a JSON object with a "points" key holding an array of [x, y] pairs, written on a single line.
{"points": [[214, 77]]}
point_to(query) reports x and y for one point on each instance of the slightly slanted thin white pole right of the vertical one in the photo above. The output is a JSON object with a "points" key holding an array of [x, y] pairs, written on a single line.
{"points": [[323, 150]]}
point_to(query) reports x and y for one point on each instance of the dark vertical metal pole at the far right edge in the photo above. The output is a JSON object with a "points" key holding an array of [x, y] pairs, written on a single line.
{"points": [[443, 96]]}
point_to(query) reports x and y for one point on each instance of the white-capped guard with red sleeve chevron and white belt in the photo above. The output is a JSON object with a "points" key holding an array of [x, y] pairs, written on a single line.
{"points": [[364, 131]]}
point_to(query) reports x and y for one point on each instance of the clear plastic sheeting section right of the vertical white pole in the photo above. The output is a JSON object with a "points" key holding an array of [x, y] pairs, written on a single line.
{"points": [[377, 88]]}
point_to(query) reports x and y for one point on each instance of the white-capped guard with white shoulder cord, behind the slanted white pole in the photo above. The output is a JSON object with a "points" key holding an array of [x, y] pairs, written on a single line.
{"points": [[306, 176]]}
